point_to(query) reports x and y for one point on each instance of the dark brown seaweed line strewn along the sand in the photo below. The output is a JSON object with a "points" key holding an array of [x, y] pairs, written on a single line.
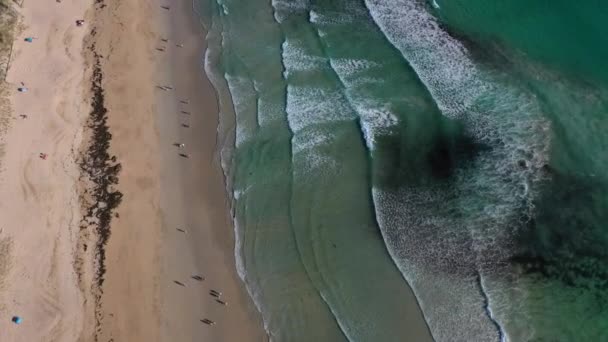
{"points": [[101, 172]]}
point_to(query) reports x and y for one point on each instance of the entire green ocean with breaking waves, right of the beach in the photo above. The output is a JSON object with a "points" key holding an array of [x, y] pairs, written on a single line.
{"points": [[405, 170]]}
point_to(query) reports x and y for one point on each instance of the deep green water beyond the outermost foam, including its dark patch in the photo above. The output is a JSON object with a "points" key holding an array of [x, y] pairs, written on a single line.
{"points": [[558, 50]]}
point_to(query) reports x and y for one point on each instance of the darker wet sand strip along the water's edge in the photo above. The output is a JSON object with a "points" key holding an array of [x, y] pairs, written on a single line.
{"points": [[204, 199]]}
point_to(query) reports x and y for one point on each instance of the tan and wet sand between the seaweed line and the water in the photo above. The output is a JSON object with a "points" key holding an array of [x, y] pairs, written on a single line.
{"points": [[163, 191]]}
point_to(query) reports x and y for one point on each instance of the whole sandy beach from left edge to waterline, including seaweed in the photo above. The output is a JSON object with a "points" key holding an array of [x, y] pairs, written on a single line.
{"points": [[72, 266]]}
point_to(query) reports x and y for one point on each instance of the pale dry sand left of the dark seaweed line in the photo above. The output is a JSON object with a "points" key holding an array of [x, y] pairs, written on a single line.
{"points": [[39, 211]]}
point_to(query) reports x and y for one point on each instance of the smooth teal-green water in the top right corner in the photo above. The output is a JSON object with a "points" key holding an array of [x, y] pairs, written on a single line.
{"points": [[569, 37]]}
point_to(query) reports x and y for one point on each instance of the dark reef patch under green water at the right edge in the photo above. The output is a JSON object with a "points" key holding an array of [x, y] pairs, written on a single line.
{"points": [[567, 239]]}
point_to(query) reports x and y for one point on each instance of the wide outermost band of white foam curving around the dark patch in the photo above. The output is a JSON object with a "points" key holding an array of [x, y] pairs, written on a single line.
{"points": [[488, 194]]}
